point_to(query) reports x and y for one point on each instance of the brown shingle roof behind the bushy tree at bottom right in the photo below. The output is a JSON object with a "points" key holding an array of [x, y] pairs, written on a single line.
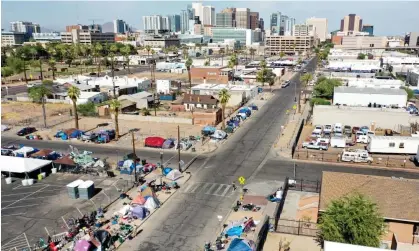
{"points": [[396, 198]]}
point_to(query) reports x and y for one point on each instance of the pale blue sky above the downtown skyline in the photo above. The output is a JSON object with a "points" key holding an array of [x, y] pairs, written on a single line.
{"points": [[388, 18]]}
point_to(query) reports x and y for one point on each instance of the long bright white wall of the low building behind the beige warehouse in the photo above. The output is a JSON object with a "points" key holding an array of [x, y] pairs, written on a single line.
{"points": [[363, 99]]}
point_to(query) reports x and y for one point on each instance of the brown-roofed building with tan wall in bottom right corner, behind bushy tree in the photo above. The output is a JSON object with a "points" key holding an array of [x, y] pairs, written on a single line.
{"points": [[396, 198]]}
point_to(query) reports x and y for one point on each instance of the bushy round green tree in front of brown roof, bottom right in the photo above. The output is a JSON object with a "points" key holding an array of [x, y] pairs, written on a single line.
{"points": [[353, 219]]}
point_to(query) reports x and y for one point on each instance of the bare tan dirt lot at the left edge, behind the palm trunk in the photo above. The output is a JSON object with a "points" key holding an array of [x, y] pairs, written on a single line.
{"points": [[25, 113]]}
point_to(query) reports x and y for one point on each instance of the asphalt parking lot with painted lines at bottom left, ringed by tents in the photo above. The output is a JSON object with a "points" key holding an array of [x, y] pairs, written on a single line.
{"points": [[43, 209]]}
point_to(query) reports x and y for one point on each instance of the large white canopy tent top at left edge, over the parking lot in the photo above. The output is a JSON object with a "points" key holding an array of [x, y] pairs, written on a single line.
{"points": [[21, 165]]}
